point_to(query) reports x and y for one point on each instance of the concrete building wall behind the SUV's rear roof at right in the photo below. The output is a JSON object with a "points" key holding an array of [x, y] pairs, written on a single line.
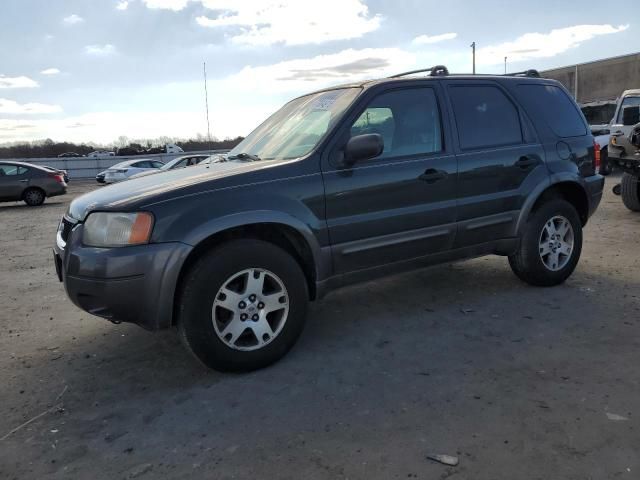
{"points": [[599, 80]]}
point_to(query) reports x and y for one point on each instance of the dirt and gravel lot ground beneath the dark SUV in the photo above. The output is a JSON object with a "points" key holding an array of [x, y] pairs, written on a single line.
{"points": [[463, 359]]}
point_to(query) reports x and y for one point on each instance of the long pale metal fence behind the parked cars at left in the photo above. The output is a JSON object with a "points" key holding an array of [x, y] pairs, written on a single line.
{"points": [[87, 167]]}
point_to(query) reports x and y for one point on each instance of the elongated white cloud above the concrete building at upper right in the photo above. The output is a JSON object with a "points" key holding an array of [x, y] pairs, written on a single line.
{"points": [[541, 45]]}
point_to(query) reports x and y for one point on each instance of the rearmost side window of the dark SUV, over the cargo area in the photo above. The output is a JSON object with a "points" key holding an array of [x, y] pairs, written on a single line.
{"points": [[554, 107]]}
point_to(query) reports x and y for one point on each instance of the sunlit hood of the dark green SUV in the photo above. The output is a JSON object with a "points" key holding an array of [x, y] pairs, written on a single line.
{"points": [[133, 193]]}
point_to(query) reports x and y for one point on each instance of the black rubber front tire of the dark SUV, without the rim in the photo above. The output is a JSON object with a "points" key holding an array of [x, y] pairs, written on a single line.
{"points": [[201, 286]]}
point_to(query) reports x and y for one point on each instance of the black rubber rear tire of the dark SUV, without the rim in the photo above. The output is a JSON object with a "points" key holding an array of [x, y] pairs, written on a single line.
{"points": [[527, 263]]}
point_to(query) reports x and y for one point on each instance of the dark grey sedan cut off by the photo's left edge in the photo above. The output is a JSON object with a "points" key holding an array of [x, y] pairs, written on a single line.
{"points": [[29, 183]]}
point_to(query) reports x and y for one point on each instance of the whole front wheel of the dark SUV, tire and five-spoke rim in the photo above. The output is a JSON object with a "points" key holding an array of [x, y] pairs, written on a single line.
{"points": [[243, 306]]}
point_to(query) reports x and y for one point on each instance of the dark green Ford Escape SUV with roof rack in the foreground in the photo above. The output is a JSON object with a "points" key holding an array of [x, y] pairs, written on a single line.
{"points": [[339, 186]]}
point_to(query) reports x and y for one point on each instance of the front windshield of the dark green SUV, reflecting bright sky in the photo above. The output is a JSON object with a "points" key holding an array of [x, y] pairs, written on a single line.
{"points": [[295, 129]]}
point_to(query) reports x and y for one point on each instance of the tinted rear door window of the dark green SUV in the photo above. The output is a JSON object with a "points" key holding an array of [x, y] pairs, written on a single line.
{"points": [[485, 117]]}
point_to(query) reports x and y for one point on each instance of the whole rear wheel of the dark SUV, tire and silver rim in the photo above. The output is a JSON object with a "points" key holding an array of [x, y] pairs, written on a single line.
{"points": [[550, 245]]}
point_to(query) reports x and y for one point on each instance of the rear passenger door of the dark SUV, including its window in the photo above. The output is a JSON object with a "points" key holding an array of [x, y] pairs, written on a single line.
{"points": [[499, 160]]}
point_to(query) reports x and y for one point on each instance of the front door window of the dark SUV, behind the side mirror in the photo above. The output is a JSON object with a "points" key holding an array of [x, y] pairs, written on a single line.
{"points": [[408, 120]]}
